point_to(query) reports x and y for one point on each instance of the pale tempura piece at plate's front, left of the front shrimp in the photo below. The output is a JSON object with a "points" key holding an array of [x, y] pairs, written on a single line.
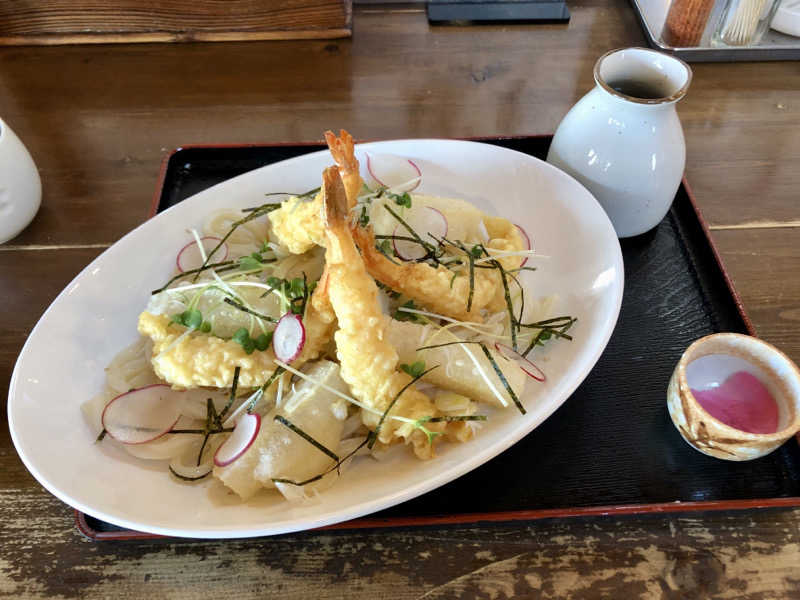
{"points": [[279, 452]]}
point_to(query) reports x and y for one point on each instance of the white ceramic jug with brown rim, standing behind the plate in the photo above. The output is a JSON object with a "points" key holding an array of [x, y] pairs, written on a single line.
{"points": [[623, 140]]}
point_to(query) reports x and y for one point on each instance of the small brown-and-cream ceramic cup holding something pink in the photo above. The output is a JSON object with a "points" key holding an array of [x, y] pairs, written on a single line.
{"points": [[709, 362]]}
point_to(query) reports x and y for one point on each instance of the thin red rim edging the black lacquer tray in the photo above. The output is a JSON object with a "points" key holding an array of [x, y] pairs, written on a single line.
{"points": [[494, 517]]}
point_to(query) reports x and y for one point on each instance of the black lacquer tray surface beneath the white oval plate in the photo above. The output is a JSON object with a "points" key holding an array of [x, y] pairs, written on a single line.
{"points": [[611, 447]]}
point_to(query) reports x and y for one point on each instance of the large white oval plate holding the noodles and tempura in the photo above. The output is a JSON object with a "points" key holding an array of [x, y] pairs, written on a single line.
{"points": [[62, 362]]}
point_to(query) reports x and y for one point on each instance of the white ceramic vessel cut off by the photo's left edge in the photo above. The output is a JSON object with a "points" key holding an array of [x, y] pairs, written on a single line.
{"points": [[20, 186]]}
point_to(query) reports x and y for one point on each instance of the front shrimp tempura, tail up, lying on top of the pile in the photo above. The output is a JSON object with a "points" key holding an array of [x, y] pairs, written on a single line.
{"points": [[368, 362]]}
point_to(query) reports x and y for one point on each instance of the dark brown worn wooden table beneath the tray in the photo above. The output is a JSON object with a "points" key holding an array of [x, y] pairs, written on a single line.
{"points": [[99, 119]]}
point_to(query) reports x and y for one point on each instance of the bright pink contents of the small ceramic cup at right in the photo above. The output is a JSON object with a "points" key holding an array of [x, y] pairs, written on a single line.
{"points": [[742, 402]]}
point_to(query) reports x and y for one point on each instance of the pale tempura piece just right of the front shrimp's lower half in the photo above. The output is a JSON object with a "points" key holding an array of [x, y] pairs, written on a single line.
{"points": [[458, 372]]}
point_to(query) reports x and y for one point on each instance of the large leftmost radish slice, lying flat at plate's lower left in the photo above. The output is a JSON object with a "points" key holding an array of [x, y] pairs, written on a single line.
{"points": [[143, 414]]}
